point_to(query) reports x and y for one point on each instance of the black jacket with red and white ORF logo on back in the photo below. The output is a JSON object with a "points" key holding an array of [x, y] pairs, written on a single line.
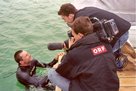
{"points": [[89, 65]]}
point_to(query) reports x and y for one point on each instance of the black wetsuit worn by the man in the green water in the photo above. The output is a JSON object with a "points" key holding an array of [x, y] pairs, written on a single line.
{"points": [[27, 74]]}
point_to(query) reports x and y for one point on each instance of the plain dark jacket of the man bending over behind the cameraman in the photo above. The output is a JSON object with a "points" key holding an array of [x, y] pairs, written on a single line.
{"points": [[122, 24]]}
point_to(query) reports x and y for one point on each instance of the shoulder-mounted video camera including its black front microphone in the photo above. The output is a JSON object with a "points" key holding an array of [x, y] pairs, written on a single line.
{"points": [[105, 29]]}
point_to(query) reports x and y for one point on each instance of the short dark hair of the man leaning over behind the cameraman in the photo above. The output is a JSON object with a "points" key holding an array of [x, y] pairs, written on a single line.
{"points": [[67, 9]]}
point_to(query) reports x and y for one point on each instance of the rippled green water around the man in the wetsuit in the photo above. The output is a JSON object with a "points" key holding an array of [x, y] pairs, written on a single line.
{"points": [[29, 25]]}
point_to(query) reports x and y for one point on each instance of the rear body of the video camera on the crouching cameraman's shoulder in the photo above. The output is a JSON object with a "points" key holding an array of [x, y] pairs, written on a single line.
{"points": [[105, 29]]}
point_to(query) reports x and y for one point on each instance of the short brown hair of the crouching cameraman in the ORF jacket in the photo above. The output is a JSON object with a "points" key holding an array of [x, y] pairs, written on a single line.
{"points": [[82, 25]]}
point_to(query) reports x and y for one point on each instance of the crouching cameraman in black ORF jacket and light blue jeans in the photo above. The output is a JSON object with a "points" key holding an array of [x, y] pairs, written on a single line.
{"points": [[89, 64]]}
